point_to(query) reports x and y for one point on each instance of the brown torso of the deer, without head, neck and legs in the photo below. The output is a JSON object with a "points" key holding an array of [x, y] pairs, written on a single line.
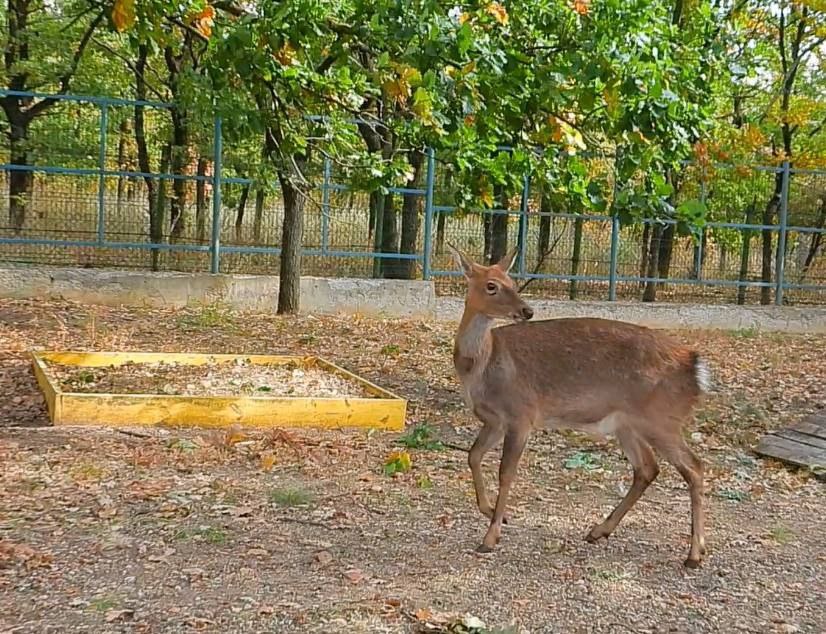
{"points": [[575, 372]]}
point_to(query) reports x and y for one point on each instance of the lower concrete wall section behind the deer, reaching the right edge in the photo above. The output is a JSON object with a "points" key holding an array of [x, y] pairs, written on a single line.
{"points": [[805, 319]]}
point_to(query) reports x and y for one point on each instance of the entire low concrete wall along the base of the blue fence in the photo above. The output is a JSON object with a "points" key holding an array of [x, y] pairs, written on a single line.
{"points": [[390, 298]]}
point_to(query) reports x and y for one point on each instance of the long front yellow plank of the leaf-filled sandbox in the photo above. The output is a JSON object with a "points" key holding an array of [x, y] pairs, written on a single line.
{"points": [[145, 409]]}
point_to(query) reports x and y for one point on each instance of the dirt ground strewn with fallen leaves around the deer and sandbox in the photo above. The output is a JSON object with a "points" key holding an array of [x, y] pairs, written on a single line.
{"points": [[172, 530]]}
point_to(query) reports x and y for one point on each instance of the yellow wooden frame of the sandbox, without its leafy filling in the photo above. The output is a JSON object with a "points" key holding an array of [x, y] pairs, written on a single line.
{"points": [[384, 411]]}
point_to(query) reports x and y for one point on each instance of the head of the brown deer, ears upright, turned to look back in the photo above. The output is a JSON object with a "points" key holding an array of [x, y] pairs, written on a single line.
{"points": [[490, 290]]}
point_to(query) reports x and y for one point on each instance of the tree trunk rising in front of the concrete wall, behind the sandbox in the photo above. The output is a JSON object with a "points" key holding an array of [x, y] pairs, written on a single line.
{"points": [[292, 238]]}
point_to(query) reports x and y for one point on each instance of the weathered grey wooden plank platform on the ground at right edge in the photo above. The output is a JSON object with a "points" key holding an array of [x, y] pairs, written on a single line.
{"points": [[802, 444]]}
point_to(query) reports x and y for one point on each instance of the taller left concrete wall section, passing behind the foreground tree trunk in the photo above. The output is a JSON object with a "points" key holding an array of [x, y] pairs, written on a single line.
{"points": [[391, 298]]}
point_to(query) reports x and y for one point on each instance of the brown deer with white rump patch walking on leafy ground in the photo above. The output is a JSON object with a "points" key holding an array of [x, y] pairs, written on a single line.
{"points": [[598, 376]]}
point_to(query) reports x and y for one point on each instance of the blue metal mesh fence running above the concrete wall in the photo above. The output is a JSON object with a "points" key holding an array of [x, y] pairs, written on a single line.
{"points": [[89, 203]]}
